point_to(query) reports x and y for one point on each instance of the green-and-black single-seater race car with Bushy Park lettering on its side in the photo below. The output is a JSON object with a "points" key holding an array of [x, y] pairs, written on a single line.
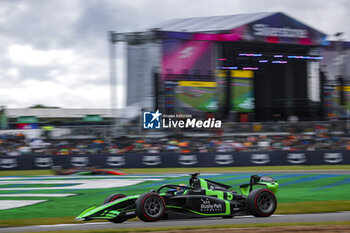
{"points": [[200, 198]]}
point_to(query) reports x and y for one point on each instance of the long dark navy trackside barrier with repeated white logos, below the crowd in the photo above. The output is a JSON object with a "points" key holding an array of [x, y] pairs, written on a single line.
{"points": [[165, 160]]}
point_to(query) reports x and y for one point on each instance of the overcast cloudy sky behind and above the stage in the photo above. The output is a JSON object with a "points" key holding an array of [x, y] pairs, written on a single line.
{"points": [[55, 52]]}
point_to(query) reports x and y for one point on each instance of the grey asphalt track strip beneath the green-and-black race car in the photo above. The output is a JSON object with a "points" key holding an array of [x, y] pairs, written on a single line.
{"points": [[290, 218]]}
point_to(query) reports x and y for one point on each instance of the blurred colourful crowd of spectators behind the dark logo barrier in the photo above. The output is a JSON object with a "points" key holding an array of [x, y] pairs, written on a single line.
{"points": [[15, 145]]}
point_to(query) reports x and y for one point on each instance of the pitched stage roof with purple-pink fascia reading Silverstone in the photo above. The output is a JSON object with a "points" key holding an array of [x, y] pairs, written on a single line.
{"points": [[270, 27]]}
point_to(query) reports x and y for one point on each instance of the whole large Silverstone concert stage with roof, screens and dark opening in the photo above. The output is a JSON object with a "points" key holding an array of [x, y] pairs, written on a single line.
{"points": [[261, 67]]}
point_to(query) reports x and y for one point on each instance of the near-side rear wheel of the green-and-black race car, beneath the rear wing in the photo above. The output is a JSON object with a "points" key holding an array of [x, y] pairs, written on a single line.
{"points": [[261, 202]]}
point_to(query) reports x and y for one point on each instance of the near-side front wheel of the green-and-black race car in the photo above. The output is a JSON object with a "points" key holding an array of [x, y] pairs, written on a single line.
{"points": [[150, 207]]}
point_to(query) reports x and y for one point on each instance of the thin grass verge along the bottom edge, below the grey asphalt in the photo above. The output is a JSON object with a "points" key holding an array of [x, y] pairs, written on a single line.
{"points": [[256, 225]]}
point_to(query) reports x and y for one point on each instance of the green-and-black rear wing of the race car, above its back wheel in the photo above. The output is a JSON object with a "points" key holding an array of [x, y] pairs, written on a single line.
{"points": [[256, 181]]}
